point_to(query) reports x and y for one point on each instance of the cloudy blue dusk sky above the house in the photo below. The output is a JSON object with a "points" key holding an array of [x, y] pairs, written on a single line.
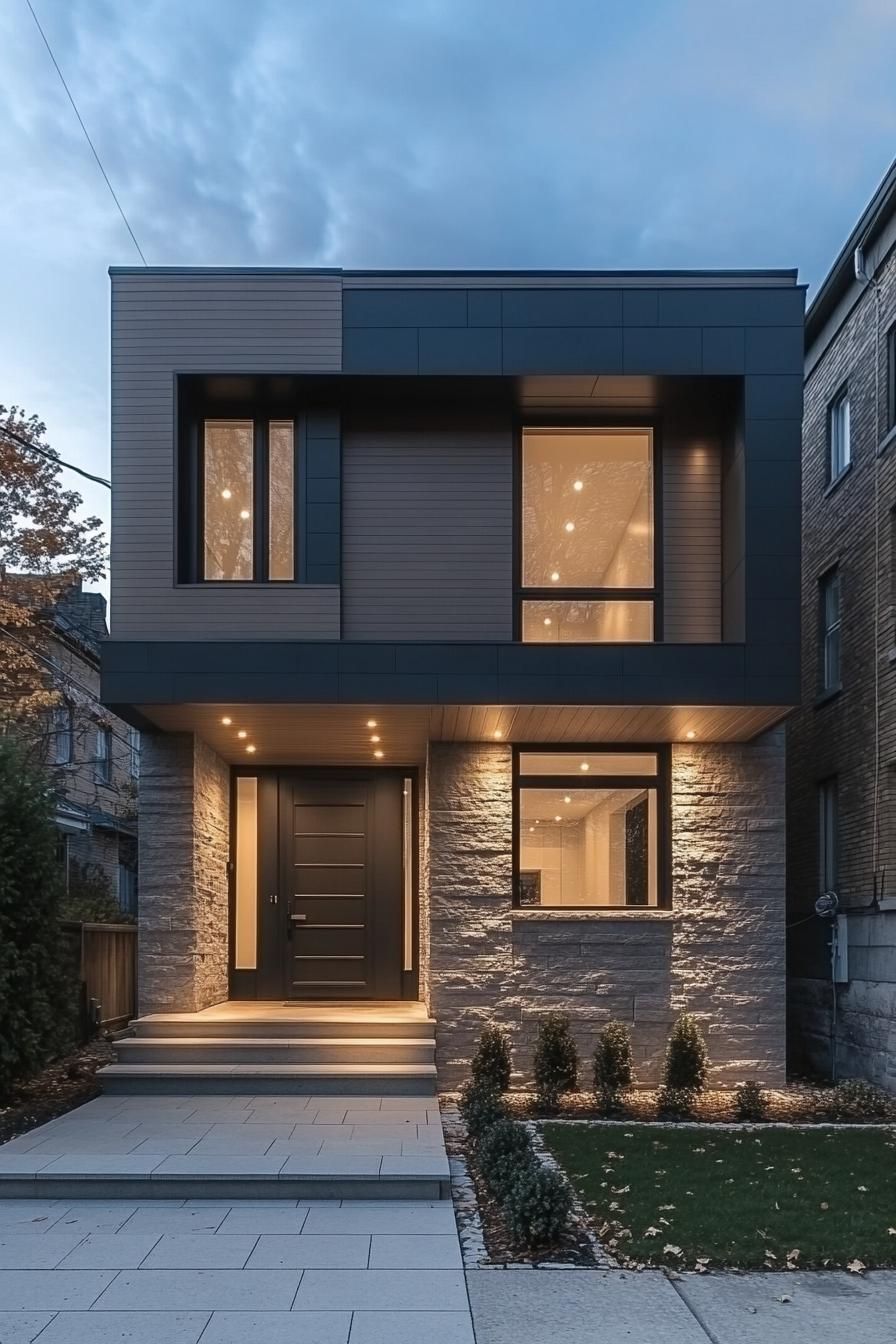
{"points": [[429, 134]]}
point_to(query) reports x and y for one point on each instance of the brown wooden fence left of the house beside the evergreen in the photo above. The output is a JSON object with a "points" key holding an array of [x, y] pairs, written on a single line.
{"points": [[107, 960]]}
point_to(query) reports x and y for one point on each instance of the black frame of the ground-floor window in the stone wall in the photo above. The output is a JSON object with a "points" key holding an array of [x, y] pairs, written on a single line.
{"points": [[662, 782]]}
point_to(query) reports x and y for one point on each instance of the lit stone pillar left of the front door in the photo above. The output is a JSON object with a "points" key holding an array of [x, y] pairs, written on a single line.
{"points": [[185, 850]]}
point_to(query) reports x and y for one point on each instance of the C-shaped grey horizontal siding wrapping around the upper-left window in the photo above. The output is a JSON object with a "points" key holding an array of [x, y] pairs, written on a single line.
{"points": [[213, 323]]}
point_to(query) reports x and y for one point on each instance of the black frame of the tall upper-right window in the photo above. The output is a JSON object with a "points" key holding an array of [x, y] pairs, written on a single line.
{"points": [[522, 593]]}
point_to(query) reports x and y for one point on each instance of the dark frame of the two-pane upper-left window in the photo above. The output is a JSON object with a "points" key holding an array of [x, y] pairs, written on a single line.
{"points": [[191, 506]]}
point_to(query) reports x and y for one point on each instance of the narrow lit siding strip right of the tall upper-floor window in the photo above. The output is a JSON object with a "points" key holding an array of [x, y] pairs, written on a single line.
{"points": [[691, 538]]}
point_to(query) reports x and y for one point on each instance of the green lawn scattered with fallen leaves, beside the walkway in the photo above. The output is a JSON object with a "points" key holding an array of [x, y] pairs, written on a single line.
{"points": [[737, 1197]]}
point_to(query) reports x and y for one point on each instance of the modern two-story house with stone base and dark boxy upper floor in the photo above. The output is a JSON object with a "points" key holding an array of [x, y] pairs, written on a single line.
{"points": [[460, 615]]}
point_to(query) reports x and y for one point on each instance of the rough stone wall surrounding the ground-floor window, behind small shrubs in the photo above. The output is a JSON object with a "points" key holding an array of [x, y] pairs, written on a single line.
{"points": [[721, 951]]}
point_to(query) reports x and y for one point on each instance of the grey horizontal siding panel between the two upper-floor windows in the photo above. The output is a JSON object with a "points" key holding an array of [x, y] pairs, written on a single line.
{"points": [[428, 534]]}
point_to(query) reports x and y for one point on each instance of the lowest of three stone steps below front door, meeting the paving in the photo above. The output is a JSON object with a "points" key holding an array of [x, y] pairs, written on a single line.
{"points": [[347, 1080]]}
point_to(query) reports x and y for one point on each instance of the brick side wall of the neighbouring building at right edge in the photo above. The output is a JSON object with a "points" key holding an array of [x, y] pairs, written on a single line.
{"points": [[852, 526]]}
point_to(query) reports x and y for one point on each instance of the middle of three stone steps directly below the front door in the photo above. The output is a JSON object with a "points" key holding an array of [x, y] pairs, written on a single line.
{"points": [[276, 1050]]}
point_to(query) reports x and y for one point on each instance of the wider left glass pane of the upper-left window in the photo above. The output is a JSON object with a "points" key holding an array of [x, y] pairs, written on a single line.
{"points": [[228, 494]]}
